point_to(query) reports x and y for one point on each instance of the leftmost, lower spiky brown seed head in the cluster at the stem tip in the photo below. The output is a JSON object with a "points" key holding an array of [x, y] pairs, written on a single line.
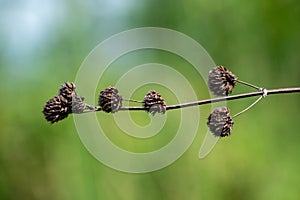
{"points": [[56, 108]]}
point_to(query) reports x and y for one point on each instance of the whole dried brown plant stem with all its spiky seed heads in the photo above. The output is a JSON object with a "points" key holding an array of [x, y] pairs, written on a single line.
{"points": [[221, 82]]}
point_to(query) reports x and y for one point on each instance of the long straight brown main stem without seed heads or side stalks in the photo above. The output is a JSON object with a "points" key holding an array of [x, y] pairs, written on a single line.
{"points": [[219, 99]]}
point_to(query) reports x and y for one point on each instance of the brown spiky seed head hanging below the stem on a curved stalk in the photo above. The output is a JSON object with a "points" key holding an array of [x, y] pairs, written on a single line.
{"points": [[219, 122]]}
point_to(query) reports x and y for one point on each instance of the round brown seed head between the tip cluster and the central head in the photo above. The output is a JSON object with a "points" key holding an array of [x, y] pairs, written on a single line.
{"points": [[110, 100]]}
